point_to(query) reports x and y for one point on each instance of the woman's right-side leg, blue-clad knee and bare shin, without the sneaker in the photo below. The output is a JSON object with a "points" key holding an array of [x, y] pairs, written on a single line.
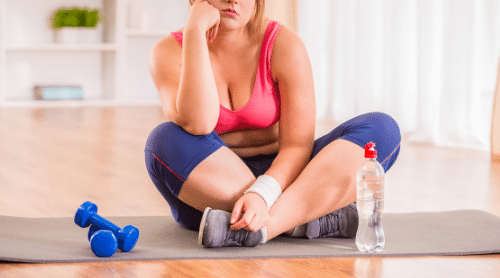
{"points": [[328, 183]]}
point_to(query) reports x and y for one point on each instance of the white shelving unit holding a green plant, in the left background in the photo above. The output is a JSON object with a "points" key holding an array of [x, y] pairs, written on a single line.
{"points": [[115, 72]]}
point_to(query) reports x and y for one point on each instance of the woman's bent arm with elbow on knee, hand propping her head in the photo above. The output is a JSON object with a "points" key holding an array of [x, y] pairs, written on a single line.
{"points": [[187, 86]]}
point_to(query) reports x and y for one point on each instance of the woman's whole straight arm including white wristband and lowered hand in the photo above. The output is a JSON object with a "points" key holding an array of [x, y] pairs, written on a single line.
{"points": [[292, 70]]}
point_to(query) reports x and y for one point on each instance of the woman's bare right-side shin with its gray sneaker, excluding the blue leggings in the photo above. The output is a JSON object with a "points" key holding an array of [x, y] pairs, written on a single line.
{"points": [[326, 185]]}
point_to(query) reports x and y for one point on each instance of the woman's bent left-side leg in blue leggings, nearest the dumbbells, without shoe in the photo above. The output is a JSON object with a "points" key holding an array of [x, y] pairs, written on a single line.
{"points": [[193, 172]]}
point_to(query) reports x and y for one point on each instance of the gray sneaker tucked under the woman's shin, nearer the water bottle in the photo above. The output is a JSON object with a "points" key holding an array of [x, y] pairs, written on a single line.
{"points": [[341, 223]]}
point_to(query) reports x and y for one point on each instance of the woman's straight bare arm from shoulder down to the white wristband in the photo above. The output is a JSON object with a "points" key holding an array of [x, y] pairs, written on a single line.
{"points": [[292, 70]]}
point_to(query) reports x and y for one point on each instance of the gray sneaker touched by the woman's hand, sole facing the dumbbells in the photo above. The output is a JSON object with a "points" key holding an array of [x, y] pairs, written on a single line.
{"points": [[215, 231]]}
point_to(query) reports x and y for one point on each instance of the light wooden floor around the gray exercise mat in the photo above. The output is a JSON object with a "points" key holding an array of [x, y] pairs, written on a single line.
{"points": [[53, 159]]}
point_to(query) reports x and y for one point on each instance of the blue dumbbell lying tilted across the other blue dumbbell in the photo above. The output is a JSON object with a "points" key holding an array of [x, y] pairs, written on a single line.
{"points": [[87, 215]]}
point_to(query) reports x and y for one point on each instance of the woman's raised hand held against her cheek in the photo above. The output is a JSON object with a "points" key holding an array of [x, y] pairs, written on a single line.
{"points": [[204, 16]]}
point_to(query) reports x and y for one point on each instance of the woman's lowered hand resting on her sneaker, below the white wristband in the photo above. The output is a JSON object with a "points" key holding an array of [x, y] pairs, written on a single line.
{"points": [[250, 212]]}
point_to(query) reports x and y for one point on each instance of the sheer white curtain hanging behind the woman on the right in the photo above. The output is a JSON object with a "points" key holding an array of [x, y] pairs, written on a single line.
{"points": [[431, 64]]}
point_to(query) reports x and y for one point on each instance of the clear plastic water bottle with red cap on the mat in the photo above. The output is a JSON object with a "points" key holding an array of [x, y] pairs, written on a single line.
{"points": [[370, 182]]}
